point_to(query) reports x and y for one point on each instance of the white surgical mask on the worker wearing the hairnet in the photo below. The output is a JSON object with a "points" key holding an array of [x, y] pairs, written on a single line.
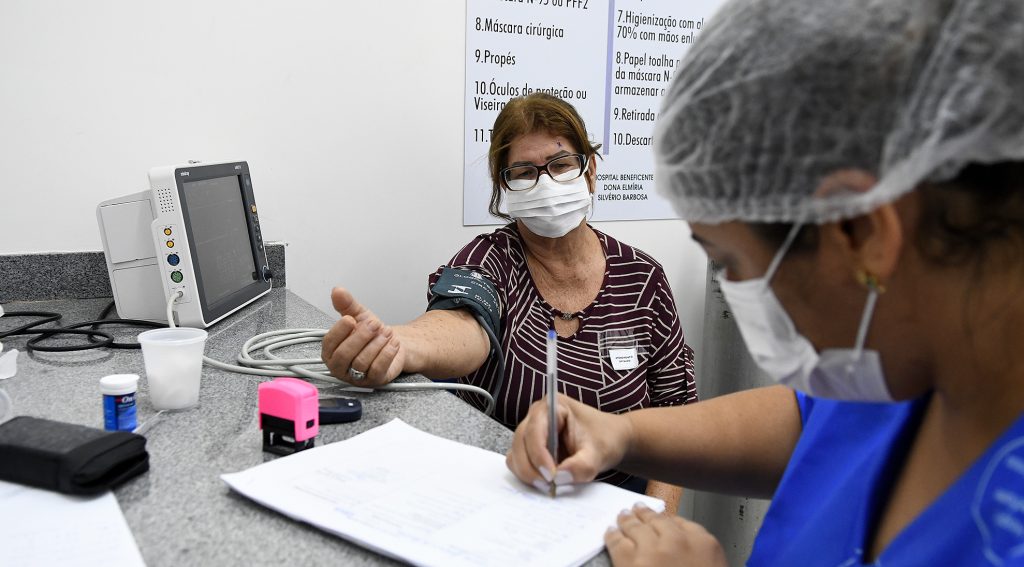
{"points": [[847, 374]]}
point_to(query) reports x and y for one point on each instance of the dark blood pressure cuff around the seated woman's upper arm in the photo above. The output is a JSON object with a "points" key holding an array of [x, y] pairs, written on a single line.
{"points": [[458, 289]]}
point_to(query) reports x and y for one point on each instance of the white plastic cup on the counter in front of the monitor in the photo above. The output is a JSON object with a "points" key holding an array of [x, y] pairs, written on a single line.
{"points": [[174, 366]]}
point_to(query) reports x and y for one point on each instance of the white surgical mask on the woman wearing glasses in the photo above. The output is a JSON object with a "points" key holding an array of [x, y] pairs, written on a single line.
{"points": [[551, 209]]}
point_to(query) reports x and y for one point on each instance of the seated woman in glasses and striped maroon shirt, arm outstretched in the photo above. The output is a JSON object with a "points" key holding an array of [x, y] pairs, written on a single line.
{"points": [[620, 342]]}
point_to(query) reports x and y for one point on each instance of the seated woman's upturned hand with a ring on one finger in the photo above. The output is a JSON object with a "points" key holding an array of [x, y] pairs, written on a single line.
{"points": [[361, 342]]}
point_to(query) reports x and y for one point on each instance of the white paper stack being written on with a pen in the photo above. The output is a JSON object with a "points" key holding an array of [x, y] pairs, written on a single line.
{"points": [[430, 501]]}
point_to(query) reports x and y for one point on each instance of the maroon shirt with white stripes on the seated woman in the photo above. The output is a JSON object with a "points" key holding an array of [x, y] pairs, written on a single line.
{"points": [[634, 311]]}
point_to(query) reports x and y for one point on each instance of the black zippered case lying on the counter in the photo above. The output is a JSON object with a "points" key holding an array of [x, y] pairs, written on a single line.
{"points": [[68, 458]]}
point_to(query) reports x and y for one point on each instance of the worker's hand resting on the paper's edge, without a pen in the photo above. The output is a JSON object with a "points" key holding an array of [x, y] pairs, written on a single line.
{"points": [[647, 538]]}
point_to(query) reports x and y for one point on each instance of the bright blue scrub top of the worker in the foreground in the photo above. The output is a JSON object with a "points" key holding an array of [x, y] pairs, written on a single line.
{"points": [[843, 468]]}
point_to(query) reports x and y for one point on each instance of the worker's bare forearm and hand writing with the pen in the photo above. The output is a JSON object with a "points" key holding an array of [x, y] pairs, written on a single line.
{"points": [[739, 444]]}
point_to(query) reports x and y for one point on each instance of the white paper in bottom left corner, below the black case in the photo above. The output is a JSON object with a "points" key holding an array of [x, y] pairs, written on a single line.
{"points": [[89, 531]]}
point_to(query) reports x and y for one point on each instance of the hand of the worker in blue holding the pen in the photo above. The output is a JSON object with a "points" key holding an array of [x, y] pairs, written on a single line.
{"points": [[589, 442]]}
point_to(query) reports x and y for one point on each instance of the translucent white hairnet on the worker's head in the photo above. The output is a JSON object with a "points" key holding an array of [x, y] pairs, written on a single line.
{"points": [[778, 95]]}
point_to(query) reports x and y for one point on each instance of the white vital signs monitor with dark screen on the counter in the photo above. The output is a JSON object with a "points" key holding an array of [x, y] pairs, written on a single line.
{"points": [[195, 232]]}
